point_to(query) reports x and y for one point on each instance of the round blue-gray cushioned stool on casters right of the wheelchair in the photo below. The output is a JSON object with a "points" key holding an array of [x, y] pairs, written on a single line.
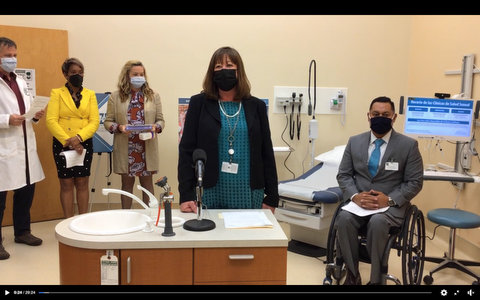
{"points": [[453, 218]]}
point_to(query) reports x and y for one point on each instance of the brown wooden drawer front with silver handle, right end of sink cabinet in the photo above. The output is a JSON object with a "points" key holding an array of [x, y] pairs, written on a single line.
{"points": [[263, 265]]}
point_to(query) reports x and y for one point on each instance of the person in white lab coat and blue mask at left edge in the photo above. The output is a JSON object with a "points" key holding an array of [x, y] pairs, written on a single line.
{"points": [[18, 148]]}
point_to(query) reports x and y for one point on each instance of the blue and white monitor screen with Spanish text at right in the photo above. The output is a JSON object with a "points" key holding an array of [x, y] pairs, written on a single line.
{"points": [[443, 119]]}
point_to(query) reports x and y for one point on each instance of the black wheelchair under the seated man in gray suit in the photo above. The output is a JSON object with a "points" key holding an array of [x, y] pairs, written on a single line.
{"points": [[408, 240]]}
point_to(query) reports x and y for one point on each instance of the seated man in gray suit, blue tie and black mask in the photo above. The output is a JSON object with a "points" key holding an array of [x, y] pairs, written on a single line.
{"points": [[392, 181]]}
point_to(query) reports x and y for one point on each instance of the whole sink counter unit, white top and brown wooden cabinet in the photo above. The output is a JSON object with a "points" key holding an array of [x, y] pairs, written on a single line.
{"points": [[217, 256]]}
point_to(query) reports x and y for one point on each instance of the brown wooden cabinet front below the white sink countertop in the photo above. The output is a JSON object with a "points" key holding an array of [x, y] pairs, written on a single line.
{"points": [[185, 266]]}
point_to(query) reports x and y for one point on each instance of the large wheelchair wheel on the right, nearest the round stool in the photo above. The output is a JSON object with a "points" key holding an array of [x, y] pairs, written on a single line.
{"points": [[413, 246]]}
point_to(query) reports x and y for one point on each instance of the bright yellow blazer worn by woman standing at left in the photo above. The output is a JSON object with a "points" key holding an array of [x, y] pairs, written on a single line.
{"points": [[65, 120]]}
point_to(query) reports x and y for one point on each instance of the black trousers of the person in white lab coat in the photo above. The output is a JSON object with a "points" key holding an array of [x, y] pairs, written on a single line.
{"points": [[22, 202]]}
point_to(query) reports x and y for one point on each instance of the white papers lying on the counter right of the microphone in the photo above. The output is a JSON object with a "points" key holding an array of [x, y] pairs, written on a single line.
{"points": [[246, 219]]}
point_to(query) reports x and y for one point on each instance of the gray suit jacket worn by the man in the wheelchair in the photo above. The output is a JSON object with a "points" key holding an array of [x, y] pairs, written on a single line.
{"points": [[401, 185]]}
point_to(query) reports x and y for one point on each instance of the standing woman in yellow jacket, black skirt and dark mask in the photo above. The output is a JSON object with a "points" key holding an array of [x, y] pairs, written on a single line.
{"points": [[73, 119]]}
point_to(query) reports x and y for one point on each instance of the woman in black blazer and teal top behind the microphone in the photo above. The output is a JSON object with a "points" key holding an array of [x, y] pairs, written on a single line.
{"points": [[232, 127]]}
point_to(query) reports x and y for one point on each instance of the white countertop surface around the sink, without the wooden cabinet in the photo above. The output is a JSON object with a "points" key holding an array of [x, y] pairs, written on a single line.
{"points": [[217, 237]]}
